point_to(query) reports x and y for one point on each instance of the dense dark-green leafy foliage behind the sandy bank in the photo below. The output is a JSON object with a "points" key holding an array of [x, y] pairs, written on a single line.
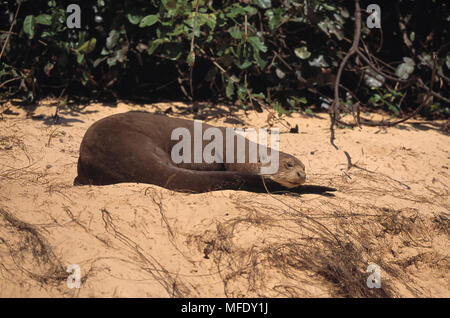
{"points": [[260, 52]]}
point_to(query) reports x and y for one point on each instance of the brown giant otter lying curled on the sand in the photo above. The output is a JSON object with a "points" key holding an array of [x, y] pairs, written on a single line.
{"points": [[137, 147]]}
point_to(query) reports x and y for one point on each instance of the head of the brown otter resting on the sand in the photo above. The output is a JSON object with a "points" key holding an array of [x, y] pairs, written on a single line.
{"points": [[291, 171]]}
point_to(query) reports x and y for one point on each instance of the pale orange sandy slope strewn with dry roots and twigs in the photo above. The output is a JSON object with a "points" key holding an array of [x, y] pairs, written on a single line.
{"points": [[137, 240]]}
